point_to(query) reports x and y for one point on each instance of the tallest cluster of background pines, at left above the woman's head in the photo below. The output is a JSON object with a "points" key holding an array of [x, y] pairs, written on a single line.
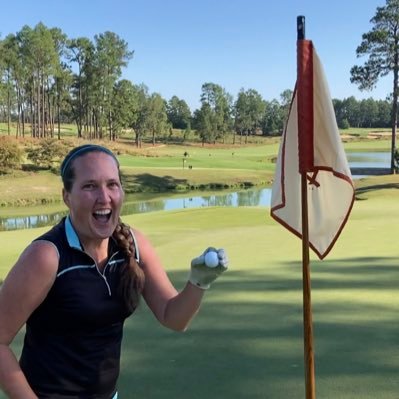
{"points": [[38, 83]]}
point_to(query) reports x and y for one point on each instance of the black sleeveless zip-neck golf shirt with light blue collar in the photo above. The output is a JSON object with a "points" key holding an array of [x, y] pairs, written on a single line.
{"points": [[73, 339]]}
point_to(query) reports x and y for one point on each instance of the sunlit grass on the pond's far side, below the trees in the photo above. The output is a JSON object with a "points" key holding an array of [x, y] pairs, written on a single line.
{"points": [[169, 168]]}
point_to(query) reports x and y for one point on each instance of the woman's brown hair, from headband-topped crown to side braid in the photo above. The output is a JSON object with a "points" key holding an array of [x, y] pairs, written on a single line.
{"points": [[132, 279]]}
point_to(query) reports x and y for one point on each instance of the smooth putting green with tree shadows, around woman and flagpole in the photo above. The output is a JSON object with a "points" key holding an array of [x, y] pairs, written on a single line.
{"points": [[247, 340]]}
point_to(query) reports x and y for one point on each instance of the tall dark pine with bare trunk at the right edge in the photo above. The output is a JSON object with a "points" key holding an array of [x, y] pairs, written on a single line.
{"points": [[381, 44]]}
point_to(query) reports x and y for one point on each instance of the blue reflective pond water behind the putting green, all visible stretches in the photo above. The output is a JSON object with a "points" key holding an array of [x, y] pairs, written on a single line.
{"points": [[152, 202]]}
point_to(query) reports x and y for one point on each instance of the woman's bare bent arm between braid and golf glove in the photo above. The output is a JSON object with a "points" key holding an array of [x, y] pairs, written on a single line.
{"points": [[173, 309]]}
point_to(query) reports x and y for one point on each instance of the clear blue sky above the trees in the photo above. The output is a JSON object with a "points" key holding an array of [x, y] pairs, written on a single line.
{"points": [[181, 44]]}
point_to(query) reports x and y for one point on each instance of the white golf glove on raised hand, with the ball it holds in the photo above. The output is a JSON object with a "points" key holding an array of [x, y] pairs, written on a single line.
{"points": [[207, 267]]}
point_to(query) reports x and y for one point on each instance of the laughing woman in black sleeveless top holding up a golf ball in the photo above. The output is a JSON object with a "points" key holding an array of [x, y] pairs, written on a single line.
{"points": [[74, 286]]}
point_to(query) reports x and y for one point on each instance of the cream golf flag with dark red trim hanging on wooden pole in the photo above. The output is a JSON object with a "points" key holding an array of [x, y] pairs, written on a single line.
{"points": [[311, 144]]}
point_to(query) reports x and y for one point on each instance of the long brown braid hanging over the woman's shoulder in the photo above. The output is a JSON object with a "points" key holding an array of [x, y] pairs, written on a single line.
{"points": [[132, 276]]}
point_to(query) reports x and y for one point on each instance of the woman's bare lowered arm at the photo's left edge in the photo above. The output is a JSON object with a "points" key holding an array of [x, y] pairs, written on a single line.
{"points": [[22, 291]]}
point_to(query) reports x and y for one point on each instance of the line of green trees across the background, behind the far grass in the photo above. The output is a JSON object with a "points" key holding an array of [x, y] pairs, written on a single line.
{"points": [[47, 79]]}
